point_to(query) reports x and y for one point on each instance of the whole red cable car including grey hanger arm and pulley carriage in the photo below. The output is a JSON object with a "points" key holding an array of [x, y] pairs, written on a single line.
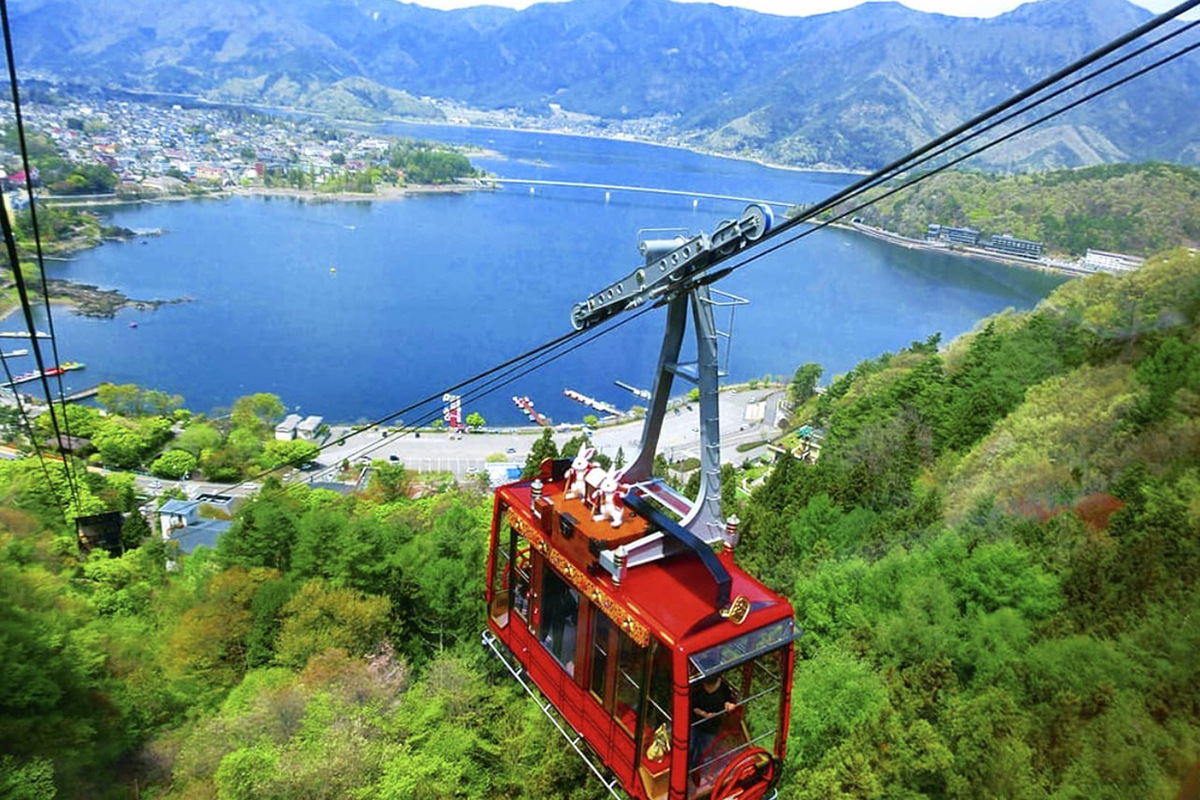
{"points": [[620, 599]]}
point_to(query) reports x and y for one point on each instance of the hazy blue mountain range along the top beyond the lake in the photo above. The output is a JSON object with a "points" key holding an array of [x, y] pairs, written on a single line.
{"points": [[850, 89]]}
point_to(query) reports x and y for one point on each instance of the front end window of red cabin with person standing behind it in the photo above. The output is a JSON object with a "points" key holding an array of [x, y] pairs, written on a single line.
{"points": [[736, 718]]}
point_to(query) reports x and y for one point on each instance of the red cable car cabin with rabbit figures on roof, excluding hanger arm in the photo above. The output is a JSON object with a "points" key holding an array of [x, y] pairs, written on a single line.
{"points": [[679, 690]]}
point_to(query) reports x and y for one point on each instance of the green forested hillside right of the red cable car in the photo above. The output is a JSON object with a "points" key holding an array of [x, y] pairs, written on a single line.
{"points": [[994, 560]]}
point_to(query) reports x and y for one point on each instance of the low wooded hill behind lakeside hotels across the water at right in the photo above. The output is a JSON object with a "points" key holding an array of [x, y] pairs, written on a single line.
{"points": [[1136, 209]]}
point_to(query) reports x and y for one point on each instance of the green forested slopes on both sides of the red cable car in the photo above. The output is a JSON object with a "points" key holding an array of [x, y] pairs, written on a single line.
{"points": [[993, 562]]}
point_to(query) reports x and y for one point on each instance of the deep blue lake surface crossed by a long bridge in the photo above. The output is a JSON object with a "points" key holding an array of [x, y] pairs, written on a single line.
{"points": [[435, 288]]}
